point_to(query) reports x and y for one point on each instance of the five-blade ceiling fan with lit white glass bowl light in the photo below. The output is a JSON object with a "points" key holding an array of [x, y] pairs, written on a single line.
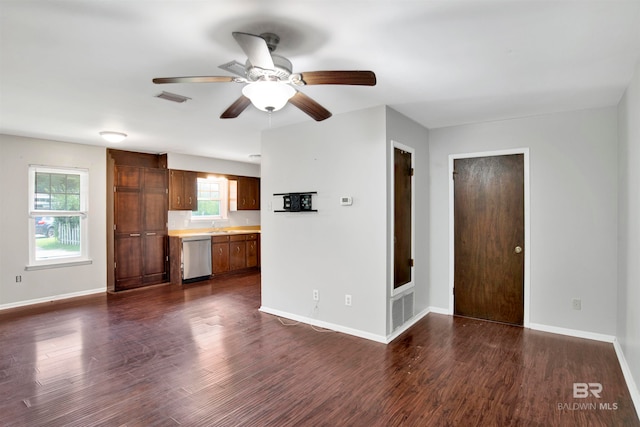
{"points": [[270, 82]]}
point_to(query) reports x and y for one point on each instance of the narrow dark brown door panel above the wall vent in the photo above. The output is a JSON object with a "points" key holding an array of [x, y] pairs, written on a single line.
{"points": [[402, 218]]}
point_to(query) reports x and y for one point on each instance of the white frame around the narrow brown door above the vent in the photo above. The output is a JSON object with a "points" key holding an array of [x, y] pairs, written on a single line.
{"points": [[393, 292]]}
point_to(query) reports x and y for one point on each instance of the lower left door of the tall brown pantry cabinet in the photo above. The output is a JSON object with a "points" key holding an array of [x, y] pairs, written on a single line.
{"points": [[128, 262]]}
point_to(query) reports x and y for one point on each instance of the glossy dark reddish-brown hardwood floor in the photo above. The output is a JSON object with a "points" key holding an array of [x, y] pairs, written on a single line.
{"points": [[203, 355]]}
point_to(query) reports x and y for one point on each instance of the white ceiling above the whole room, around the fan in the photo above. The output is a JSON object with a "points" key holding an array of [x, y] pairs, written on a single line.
{"points": [[69, 69]]}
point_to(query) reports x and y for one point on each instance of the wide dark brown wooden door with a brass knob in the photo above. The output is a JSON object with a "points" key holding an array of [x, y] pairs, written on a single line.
{"points": [[489, 238]]}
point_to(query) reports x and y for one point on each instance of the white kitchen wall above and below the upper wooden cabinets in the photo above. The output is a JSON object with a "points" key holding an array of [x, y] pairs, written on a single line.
{"points": [[181, 220]]}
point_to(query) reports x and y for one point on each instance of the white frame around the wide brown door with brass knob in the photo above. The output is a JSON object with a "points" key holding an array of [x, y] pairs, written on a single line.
{"points": [[527, 229]]}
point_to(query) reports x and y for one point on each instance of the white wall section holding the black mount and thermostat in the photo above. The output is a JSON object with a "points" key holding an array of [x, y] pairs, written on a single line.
{"points": [[338, 250]]}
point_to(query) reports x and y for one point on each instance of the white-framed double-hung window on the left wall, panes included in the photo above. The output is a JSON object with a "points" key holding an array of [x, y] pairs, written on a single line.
{"points": [[58, 214]]}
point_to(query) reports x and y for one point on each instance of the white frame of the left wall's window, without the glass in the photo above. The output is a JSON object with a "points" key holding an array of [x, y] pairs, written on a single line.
{"points": [[82, 213]]}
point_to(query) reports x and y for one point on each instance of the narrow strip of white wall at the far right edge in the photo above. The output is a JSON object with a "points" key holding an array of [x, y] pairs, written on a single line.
{"points": [[628, 320]]}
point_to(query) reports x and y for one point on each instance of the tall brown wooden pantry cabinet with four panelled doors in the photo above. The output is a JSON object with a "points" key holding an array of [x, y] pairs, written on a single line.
{"points": [[140, 248]]}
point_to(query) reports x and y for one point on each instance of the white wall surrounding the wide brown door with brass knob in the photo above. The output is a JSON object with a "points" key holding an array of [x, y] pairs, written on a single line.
{"points": [[573, 194]]}
